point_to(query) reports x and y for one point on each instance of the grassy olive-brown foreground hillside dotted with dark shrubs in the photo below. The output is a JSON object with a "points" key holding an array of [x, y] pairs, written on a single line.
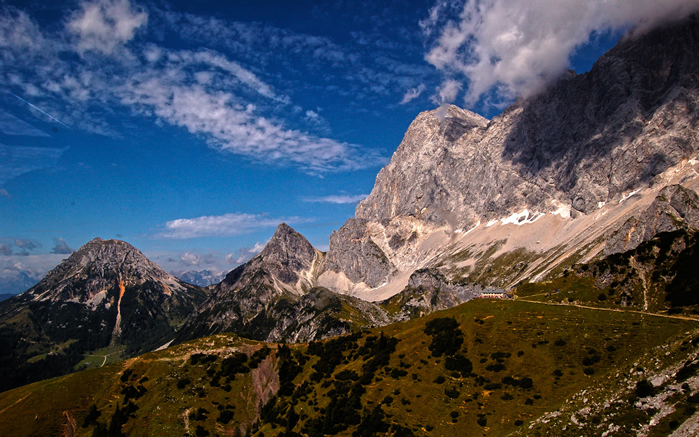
{"points": [[483, 368]]}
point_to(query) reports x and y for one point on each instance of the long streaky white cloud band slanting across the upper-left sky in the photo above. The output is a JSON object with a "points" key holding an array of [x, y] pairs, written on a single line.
{"points": [[204, 91]]}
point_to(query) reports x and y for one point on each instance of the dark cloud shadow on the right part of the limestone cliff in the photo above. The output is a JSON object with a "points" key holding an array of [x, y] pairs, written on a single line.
{"points": [[585, 118]]}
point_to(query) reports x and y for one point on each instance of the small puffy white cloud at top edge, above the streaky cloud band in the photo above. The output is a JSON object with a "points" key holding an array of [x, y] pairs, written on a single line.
{"points": [[104, 25]]}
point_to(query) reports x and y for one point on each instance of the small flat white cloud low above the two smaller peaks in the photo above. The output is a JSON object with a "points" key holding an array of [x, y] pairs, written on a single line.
{"points": [[222, 225]]}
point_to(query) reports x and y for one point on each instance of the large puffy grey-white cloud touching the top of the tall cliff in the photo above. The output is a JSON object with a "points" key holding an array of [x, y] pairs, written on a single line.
{"points": [[515, 47]]}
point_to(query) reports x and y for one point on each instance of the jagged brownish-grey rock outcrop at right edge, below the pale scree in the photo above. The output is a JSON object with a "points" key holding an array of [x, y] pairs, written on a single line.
{"points": [[675, 208]]}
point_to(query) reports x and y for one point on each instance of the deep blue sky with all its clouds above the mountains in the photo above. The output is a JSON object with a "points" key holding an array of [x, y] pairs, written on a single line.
{"points": [[191, 129]]}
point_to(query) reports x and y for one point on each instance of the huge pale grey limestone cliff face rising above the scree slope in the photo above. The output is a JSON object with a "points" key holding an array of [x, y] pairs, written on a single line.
{"points": [[584, 143]]}
